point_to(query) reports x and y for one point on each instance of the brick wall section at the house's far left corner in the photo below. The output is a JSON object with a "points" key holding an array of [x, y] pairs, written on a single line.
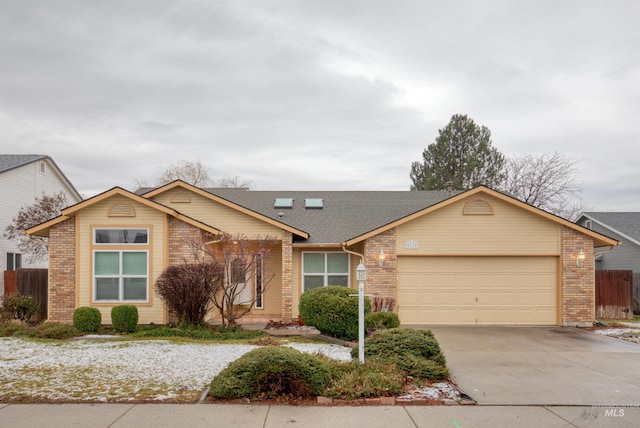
{"points": [[62, 271]]}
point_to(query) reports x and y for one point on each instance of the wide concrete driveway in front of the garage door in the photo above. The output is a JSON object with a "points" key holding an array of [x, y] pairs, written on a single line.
{"points": [[542, 366]]}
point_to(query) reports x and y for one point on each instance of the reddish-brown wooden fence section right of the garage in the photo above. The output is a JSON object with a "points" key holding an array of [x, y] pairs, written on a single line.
{"points": [[614, 294]]}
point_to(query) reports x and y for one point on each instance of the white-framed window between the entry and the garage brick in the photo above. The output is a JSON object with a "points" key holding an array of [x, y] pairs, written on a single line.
{"points": [[322, 269]]}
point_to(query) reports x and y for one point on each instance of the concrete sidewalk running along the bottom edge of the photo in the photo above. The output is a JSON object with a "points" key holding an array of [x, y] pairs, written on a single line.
{"points": [[250, 416]]}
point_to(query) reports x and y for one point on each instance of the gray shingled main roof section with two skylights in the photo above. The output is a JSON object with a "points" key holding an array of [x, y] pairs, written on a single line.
{"points": [[345, 214]]}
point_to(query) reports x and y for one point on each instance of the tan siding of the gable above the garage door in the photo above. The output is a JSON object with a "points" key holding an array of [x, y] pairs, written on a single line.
{"points": [[509, 231]]}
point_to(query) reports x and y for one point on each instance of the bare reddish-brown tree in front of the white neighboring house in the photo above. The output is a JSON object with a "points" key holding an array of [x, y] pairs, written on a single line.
{"points": [[45, 208]]}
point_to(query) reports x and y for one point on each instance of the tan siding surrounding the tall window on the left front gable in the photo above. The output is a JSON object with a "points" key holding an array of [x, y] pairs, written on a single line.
{"points": [[97, 216]]}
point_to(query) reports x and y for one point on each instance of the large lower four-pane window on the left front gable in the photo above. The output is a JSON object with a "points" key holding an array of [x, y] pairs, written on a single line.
{"points": [[120, 276]]}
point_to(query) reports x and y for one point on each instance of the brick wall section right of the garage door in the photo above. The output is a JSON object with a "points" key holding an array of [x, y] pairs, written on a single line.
{"points": [[578, 283]]}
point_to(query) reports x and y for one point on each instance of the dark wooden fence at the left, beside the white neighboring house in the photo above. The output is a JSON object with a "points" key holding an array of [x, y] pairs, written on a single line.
{"points": [[29, 282]]}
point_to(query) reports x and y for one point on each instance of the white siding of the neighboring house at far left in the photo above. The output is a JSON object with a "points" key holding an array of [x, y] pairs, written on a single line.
{"points": [[20, 187]]}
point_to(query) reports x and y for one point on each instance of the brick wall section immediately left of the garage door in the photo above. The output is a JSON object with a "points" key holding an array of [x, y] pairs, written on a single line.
{"points": [[381, 280]]}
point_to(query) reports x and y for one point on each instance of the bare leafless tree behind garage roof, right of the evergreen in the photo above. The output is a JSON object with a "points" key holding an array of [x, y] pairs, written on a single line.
{"points": [[547, 182]]}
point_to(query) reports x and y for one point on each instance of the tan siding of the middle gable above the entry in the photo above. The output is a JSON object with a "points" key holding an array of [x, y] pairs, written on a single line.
{"points": [[218, 215]]}
